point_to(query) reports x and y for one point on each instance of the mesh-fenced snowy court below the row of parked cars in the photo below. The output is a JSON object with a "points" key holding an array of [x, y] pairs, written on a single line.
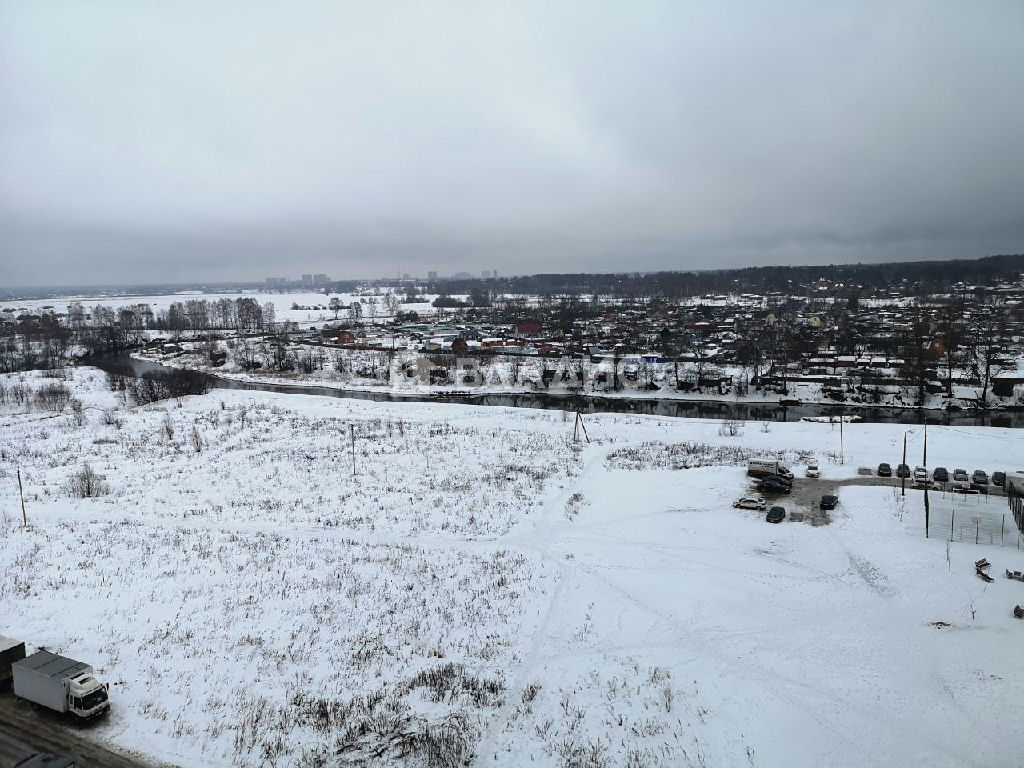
{"points": [[977, 519]]}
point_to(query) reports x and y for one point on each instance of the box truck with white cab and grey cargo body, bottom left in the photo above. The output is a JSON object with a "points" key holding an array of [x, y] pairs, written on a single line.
{"points": [[61, 685]]}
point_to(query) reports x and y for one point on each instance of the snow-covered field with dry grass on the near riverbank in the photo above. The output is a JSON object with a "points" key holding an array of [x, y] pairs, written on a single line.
{"points": [[484, 589]]}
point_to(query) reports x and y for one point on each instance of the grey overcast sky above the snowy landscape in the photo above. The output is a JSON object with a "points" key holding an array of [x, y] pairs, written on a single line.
{"points": [[155, 142]]}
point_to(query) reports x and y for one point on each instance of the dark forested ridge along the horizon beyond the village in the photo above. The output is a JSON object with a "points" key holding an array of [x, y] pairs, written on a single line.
{"points": [[911, 277]]}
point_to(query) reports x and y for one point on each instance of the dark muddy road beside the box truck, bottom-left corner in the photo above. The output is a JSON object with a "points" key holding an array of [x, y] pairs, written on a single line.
{"points": [[25, 731]]}
